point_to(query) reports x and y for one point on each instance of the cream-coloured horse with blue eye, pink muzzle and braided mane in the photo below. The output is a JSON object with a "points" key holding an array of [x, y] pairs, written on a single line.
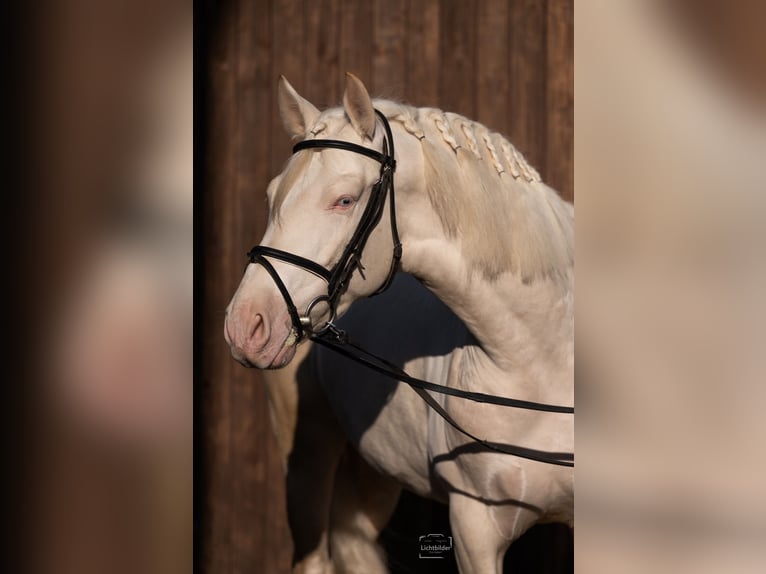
{"points": [[492, 242]]}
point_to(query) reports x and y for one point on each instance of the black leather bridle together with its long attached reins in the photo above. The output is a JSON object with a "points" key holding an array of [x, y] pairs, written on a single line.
{"points": [[338, 278]]}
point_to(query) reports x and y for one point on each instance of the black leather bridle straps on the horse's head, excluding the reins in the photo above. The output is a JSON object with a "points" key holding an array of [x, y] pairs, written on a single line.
{"points": [[339, 276]]}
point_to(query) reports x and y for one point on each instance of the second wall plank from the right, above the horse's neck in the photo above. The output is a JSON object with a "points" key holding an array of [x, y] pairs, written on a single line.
{"points": [[527, 75]]}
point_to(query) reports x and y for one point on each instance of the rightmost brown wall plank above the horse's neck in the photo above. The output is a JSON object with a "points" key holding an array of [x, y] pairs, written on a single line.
{"points": [[560, 97]]}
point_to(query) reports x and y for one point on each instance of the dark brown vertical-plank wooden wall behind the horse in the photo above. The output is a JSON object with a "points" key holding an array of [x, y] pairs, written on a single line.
{"points": [[507, 64]]}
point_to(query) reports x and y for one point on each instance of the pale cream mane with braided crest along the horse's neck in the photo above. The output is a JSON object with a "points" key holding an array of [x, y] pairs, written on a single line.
{"points": [[488, 196]]}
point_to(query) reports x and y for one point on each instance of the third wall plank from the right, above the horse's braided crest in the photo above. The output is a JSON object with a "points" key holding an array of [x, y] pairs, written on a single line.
{"points": [[492, 82]]}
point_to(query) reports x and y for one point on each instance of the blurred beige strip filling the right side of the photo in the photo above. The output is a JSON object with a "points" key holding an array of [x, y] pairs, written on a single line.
{"points": [[671, 317]]}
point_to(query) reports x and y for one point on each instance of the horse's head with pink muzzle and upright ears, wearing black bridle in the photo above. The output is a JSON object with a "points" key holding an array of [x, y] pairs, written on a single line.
{"points": [[323, 247]]}
